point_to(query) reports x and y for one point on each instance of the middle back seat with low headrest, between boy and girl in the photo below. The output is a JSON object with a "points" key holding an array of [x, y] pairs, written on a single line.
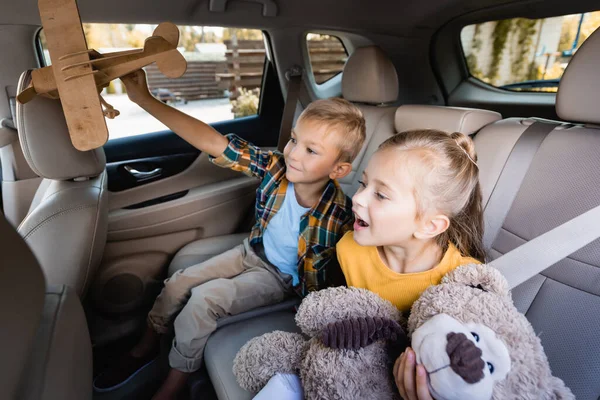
{"points": [[224, 344]]}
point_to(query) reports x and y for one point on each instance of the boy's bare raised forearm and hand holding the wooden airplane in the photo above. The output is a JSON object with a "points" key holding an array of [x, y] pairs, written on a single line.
{"points": [[195, 132]]}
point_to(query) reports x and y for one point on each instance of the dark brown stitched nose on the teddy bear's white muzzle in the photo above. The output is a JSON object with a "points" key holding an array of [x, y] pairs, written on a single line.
{"points": [[465, 357]]}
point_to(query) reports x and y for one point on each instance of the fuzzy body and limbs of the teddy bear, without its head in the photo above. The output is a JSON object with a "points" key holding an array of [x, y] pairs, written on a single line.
{"points": [[331, 362]]}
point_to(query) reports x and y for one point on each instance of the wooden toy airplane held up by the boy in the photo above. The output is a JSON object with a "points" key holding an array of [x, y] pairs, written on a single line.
{"points": [[78, 74]]}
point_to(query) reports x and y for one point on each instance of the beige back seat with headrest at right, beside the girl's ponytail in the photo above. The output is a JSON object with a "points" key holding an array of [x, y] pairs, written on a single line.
{"points": [[563, 302]]}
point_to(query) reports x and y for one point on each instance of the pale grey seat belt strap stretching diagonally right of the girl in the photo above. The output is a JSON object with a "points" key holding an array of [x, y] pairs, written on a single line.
{"points": [[538, 254]]}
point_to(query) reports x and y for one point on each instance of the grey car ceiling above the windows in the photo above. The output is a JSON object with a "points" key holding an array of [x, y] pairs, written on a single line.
{"points": [[403, 18]]}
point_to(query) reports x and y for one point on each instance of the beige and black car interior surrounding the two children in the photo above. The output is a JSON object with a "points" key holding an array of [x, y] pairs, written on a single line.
{"points": [[87, 238]]}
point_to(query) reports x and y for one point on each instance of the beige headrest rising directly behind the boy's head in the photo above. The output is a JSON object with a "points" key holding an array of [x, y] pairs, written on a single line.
{"points": [[369, 77]]}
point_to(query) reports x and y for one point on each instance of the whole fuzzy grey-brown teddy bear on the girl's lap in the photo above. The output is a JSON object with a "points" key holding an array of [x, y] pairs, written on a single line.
{"points": [[466, 332]]}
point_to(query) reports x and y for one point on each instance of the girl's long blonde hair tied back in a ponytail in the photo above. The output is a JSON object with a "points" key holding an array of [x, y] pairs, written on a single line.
{"points": [[450, 184]]}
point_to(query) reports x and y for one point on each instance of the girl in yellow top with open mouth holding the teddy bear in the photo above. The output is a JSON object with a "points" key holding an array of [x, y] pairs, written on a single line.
{"points": [[418, 215]]}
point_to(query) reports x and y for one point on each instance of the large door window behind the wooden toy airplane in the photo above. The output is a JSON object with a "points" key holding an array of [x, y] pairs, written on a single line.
{"points": [[222, 82]]}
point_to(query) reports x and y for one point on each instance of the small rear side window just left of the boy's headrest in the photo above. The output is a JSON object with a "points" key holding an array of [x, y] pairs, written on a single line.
{"points": [[327, 56]]}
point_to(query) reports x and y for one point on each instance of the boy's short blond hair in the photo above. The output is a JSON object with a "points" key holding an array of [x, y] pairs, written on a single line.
{"points": [[344, 119]]}
